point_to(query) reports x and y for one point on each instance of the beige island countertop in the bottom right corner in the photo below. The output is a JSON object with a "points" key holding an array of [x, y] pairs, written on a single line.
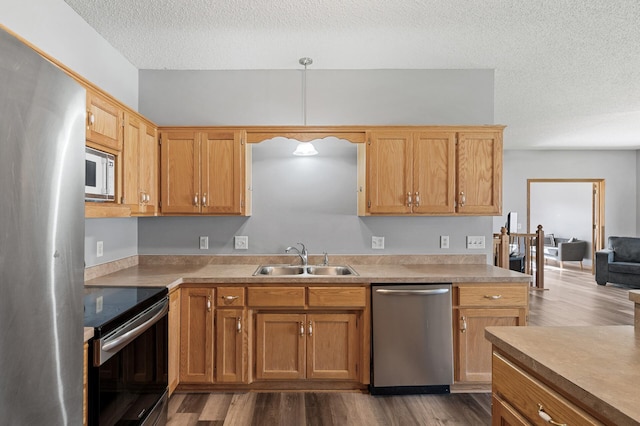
{"points": [[597, 366]]}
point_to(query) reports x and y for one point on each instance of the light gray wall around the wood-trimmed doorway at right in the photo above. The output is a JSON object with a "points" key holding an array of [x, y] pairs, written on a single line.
{"points": [[617, 168]]}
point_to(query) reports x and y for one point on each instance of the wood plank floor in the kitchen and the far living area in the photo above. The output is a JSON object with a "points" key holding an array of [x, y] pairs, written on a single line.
{"points": [[572, 298]]}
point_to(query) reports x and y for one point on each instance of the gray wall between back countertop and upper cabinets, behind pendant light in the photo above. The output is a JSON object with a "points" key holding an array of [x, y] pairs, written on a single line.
{"points": [[310, 200]]}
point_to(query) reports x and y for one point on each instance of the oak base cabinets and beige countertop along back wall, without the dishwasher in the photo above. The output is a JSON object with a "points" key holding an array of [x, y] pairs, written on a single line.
{"points": [[220, 298]]}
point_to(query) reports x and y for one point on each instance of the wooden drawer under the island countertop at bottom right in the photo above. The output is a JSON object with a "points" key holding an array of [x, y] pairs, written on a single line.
{"points": [[527, 394]]}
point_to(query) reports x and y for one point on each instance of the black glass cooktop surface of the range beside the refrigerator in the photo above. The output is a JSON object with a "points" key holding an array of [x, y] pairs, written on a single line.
{"points": [[108, 307]]}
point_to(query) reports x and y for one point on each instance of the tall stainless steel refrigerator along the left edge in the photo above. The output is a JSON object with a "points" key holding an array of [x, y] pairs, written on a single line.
{"points": [[42, 115]]}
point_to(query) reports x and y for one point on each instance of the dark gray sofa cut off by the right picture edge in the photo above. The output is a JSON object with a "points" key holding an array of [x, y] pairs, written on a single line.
{"points": [[620, 262]]}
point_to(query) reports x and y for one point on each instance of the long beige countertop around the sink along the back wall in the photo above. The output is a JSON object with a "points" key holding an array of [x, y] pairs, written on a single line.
{"points": [[172, 271]]}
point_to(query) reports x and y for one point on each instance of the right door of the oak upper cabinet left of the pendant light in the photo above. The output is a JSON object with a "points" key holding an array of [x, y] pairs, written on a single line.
{"points": [[222, 155]]}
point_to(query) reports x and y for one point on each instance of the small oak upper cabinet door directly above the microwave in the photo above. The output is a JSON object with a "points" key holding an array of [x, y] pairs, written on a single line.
{"points": [[104, 121]]}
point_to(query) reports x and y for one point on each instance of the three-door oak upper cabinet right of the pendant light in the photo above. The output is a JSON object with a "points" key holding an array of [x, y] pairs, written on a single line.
{"points": [[432, 171]]}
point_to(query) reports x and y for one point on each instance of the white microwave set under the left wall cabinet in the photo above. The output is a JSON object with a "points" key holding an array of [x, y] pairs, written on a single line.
{"points": [[99, 183]]}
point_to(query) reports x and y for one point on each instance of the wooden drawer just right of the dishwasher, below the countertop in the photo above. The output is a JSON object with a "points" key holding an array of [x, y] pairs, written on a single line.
{"points": [[494, 295]]}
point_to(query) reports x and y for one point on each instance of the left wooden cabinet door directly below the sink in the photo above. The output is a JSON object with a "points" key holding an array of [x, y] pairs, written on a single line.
{"points": [[280, 346]]}
